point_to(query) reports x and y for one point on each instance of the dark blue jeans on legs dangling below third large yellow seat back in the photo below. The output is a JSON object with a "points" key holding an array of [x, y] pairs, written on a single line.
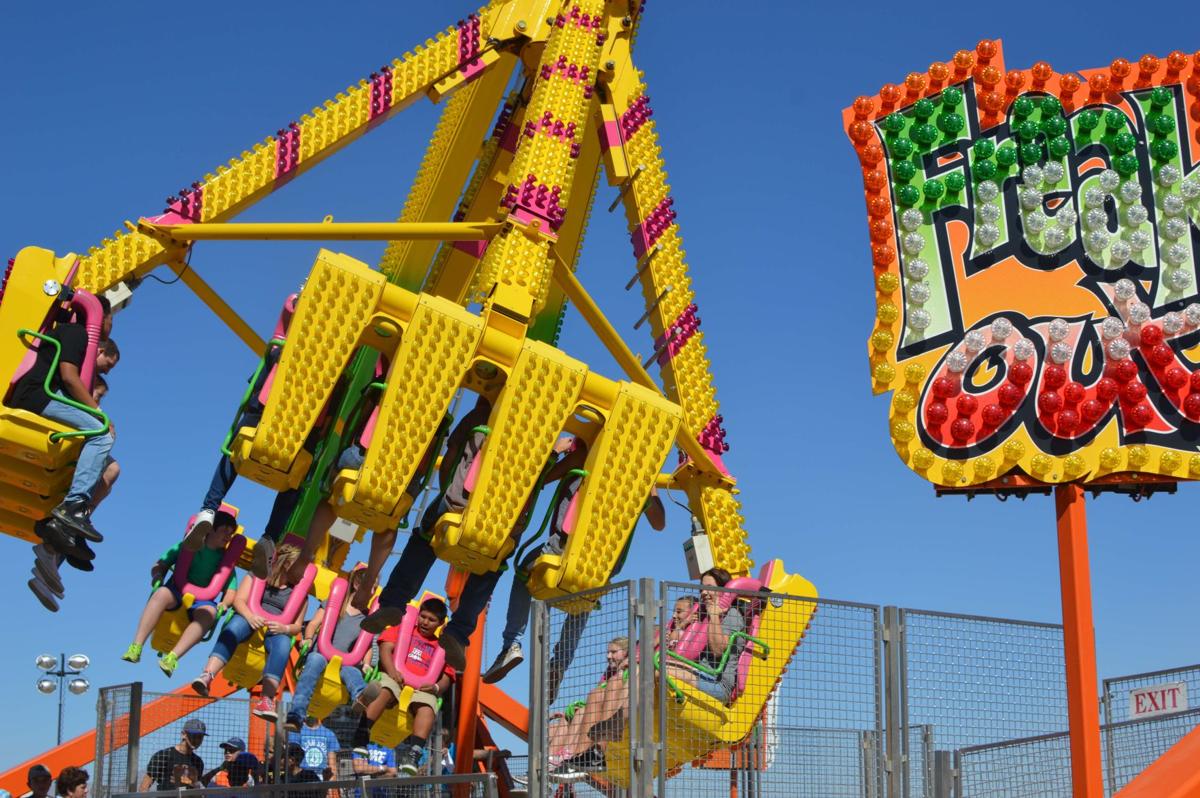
{"points": [[407, 578]]}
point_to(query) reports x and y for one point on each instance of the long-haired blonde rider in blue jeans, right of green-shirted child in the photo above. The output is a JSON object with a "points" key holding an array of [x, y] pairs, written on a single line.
{"points": [[278, 640]]}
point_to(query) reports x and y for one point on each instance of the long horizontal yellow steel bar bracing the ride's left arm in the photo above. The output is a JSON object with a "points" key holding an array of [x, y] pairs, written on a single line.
{"points": [[323, 232]]}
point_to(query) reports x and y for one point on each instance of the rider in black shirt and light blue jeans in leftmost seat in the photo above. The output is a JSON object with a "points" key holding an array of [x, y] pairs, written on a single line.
{"points": [[29, 394]]}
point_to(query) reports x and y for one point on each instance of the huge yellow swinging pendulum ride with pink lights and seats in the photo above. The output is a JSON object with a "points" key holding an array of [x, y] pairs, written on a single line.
{"points": [[495, 221]]}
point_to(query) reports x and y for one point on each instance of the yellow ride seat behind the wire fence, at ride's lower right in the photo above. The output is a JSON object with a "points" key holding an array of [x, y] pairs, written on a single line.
{"points": [[699, 724]]}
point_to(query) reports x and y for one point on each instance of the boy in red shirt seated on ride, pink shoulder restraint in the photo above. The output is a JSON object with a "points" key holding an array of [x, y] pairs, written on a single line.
{"points": [[386, 693]]}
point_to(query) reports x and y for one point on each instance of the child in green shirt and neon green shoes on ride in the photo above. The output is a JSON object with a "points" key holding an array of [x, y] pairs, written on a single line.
{"points": [[167, 598]]}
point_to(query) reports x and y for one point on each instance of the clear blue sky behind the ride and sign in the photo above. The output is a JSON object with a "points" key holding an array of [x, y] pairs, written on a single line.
{"points": [[109, 110]]}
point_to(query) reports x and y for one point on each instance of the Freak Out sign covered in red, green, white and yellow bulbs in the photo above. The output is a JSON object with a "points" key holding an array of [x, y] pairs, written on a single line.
{"points": [[1035, 243]]}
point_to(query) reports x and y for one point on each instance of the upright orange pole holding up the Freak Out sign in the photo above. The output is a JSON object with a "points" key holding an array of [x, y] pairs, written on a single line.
{"points": [[1079, 644]]}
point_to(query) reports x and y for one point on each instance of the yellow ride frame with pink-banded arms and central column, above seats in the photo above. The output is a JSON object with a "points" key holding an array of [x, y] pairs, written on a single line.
{"points": [[520, 199]]}
